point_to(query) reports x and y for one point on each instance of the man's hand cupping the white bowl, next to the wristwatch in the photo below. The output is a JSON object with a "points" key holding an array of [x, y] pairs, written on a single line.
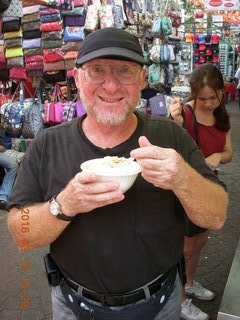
{"points": [[85, 192]]}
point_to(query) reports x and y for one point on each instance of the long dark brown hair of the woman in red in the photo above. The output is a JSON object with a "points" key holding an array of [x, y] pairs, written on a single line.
{"points": [[209, 75]]}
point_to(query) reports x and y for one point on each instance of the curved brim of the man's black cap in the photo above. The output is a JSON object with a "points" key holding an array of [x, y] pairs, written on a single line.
{"points": [[121, 53]]}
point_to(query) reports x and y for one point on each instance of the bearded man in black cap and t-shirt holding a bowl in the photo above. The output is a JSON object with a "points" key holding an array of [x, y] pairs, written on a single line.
{"points": [[116, 254]]}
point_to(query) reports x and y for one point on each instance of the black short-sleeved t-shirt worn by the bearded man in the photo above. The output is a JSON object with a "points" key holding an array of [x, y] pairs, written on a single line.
{"points": [[122, 246]]}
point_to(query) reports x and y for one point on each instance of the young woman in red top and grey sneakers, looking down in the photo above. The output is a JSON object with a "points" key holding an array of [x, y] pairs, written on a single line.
{"points": [[208, 124]]}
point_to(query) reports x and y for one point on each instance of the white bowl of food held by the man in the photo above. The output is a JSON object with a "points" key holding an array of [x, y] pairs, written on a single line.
{"points": [[124, 175]]}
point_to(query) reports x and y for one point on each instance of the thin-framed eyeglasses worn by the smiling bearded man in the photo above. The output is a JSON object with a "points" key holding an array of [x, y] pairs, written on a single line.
{"points": [[97, 74]]}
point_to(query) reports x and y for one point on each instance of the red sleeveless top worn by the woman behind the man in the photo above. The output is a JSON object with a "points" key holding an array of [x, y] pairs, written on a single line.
{"points": [[211, 140]]}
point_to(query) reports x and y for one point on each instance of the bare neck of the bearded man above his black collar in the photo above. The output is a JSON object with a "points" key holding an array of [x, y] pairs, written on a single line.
{"points": [[108, 136]]}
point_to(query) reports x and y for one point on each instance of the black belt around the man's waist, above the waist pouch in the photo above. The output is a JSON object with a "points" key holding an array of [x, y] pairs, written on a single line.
{"points": [[128, 297]]}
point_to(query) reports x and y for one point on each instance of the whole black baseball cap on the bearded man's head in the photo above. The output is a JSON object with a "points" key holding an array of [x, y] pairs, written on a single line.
{"points": [[110, 43]]}
